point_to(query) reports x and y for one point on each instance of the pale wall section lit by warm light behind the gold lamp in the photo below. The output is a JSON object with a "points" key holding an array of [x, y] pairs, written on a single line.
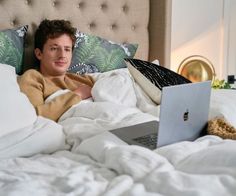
{"points": [[197, 29]]}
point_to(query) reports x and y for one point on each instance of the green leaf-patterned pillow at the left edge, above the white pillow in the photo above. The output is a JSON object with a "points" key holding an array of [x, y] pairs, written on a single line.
{"points": [[12, 47]]}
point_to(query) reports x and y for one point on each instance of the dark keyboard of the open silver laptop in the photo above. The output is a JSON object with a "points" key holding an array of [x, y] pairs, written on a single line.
{"points": [[148, 140]]}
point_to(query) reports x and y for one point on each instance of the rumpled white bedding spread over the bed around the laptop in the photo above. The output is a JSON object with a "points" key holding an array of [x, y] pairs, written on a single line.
{"points": [[99, 163]]}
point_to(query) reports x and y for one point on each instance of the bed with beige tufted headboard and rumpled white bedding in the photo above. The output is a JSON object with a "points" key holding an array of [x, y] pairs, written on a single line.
{"points": [[77, 155]]}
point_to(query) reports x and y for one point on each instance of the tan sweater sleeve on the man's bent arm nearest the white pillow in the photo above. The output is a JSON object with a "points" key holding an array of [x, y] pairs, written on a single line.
{"points": [[32, 84]]}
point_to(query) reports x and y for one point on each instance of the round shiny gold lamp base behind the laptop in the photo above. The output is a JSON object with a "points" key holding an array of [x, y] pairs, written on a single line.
{"points": [[197, 68]]}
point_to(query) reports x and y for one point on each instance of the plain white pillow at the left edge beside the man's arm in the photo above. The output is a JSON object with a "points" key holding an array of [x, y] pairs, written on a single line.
{"points": [[16, 111]]}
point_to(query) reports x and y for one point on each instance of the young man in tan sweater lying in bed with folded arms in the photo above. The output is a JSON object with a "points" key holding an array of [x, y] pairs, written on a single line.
{"points": [[54, 42]]}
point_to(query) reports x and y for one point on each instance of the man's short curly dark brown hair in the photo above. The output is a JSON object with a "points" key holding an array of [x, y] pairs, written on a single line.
{"points": [[49, 29]]}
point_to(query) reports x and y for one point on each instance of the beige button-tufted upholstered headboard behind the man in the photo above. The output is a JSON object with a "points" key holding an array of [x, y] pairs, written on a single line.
{"points": [[145, 22]]}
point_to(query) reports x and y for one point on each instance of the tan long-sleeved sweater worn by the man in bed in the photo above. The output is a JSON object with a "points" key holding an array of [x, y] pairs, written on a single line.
{"points": [[38, 88]]}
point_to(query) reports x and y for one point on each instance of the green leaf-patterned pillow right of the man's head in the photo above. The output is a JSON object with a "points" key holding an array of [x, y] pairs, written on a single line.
{"points": [[95, 54]]}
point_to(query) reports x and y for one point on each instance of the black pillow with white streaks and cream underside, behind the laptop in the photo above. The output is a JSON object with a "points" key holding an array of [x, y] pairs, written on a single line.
{"points": [[152, 78]]}
